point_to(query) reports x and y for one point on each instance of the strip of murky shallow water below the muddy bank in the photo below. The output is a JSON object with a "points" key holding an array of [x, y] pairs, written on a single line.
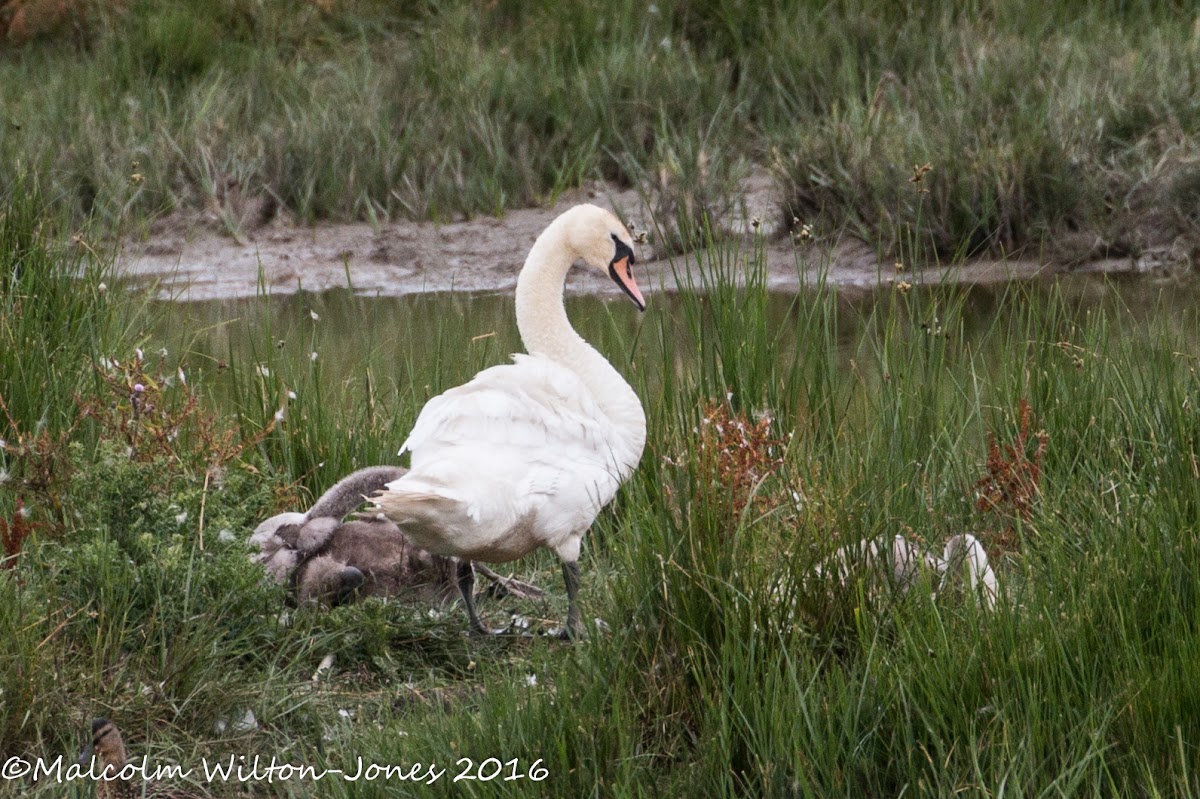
{"points": [[467, 332]]}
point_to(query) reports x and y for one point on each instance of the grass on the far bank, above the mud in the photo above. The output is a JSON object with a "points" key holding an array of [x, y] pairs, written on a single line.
{"points": [[1064, 133]]}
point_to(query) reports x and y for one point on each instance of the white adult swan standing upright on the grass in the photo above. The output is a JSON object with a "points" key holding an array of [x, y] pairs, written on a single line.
{"points": [[526, 454]]}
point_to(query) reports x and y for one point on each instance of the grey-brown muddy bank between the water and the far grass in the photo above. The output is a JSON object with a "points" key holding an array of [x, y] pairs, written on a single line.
{"points": [[196, 262]]}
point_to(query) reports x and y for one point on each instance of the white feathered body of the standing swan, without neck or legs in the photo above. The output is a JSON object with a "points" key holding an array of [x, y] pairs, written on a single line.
{"points": [[524, 441]]}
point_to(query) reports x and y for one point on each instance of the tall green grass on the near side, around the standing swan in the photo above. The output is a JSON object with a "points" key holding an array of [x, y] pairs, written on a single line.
{"points": [[728, 670]]}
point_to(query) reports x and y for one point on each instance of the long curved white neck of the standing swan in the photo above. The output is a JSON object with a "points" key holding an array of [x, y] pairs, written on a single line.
{"points": [[545, 331]]}
